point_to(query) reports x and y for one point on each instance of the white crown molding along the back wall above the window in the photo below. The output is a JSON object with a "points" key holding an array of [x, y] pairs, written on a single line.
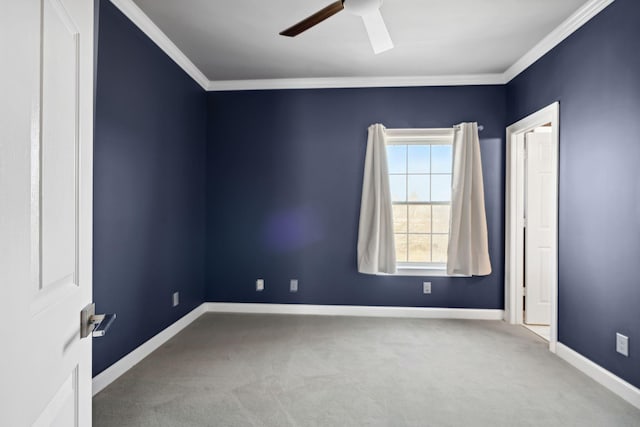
{"points": [[357, 82]]}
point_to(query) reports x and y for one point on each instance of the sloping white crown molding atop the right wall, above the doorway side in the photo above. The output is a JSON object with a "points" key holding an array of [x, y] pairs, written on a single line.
{"points": [[564, 30]]}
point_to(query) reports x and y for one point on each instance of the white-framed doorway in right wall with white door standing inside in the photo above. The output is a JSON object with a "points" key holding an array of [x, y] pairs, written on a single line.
{"points": [[531, 256]]}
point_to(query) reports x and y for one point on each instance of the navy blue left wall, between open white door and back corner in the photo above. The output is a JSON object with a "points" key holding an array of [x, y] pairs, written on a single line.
{"points": [[149, 187]]}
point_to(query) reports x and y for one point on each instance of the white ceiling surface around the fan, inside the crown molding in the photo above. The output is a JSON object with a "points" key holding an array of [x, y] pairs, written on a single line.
{"points": [[238, 39]]}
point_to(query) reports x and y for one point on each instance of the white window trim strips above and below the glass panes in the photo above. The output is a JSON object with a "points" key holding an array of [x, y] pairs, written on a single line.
{"points": [[427, 136]]}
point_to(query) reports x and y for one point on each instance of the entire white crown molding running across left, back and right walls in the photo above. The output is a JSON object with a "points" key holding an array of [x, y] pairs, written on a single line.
{"points": [[568, 27]]}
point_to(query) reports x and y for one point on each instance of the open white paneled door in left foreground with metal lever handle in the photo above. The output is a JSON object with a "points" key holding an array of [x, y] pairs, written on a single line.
{"points": [[46, 143]]}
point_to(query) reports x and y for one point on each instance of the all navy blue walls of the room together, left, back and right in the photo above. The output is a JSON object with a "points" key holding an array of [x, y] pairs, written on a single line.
{"points": [[273, 189]]}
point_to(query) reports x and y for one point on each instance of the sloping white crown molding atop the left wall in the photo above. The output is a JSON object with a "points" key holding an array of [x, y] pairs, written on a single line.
{"points": [[147, 26]]}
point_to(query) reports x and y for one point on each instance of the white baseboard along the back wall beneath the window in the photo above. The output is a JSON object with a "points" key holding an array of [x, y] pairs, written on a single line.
{"points": [[356, 310]]}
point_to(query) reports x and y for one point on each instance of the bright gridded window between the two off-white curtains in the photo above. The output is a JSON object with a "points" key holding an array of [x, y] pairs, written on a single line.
{"points": [[420, 169]]}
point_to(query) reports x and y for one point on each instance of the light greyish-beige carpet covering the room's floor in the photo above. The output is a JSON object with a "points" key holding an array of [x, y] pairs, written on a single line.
{"points": [[274, 370]]}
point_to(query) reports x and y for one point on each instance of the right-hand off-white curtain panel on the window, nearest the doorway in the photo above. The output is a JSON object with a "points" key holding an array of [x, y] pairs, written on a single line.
{"points": [[468, 252]]}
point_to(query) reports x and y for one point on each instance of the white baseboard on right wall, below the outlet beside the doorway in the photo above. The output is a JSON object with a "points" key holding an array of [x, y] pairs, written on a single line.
{"points": [[614, 383]]}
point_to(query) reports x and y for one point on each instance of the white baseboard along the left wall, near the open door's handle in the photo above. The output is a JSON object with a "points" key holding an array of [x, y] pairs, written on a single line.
{"points": [[114, 371]]}
